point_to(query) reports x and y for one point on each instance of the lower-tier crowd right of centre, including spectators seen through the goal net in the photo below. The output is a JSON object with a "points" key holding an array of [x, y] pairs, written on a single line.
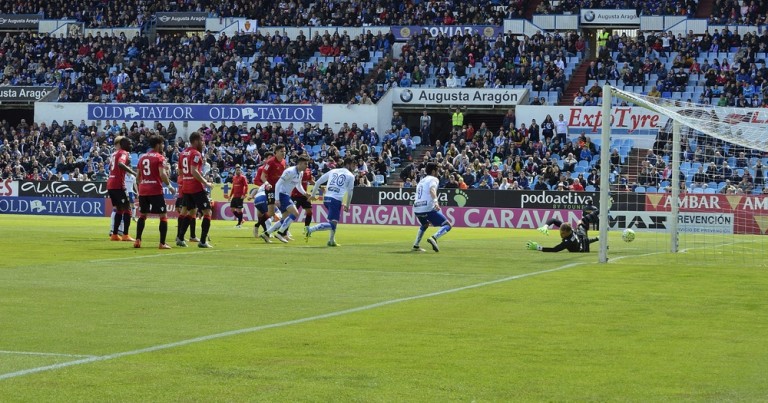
{"points": [[534, 156]]}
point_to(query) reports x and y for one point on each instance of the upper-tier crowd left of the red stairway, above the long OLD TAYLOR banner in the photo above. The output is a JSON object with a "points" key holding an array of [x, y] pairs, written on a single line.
{"points": [[204, 69]]}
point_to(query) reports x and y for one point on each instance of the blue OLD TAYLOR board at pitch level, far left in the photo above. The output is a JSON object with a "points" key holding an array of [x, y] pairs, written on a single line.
{"points": [[52, 206]]}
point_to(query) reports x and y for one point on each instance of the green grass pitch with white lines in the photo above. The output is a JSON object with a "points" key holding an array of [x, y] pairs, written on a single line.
{"points": [[86, 319]]}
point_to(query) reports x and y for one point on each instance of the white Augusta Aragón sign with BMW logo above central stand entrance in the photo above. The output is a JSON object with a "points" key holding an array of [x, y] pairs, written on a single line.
{"points": [[460, 96]]}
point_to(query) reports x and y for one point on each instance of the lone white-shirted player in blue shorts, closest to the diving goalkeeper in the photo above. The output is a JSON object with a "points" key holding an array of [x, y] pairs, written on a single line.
{"points": [[427, 209]]}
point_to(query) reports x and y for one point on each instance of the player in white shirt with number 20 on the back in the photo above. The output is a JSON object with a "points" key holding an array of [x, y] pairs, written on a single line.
{"points": [[340, 182]]}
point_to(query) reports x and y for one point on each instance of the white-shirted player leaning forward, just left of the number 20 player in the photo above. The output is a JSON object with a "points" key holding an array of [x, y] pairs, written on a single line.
{"points": [[289, 180]]}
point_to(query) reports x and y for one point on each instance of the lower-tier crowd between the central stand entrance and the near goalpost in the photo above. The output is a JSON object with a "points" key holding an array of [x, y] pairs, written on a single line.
{"points": [[514, 156]]}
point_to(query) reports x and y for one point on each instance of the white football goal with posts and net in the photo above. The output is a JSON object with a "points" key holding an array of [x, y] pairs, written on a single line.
{"points": [[710, 159]]}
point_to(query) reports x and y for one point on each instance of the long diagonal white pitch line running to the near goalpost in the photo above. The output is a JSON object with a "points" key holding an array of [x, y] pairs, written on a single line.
{"points": [[200, 339]]}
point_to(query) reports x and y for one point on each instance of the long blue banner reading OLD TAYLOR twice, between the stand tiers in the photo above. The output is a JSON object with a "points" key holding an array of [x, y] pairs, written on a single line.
{"points": [[194, 112]]}
